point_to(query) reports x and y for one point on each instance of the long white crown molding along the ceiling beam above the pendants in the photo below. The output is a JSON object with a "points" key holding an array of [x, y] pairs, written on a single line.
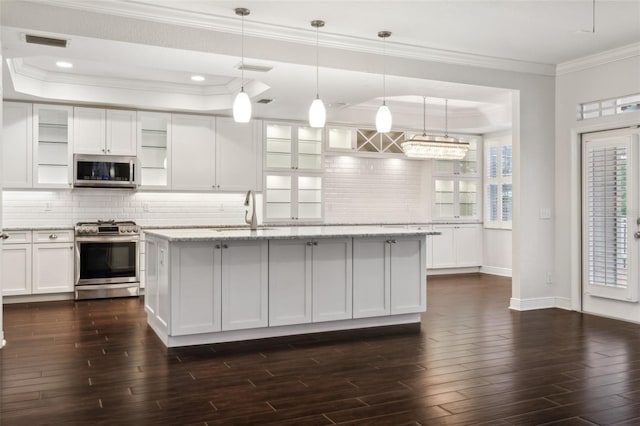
{"points": [[163, 13]]}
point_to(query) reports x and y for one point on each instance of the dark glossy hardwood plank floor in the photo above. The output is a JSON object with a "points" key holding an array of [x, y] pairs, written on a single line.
{"points": [[472, 362]]}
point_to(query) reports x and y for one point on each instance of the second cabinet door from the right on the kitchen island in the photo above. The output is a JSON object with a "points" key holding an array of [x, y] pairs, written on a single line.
{"points": [[371, 277]]}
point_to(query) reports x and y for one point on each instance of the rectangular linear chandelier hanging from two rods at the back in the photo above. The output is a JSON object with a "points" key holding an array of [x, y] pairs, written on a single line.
{"points": [[435, 147]]}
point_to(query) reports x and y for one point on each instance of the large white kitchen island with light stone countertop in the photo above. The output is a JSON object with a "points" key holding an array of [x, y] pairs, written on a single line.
{"points": [[227, 284]]}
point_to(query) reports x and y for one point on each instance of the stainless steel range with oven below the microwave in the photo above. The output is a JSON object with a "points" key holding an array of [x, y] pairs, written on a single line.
{"points": [[107, 263]]}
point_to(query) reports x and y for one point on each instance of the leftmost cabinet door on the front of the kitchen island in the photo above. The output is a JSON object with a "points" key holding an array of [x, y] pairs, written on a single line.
{"points": [[195, 288]]}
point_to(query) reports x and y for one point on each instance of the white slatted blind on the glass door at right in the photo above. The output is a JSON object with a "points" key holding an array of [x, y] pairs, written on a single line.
{"points": [[606, 188]]}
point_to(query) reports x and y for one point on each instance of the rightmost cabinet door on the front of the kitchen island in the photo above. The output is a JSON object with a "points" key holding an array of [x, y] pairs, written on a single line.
{"points": [[408, 275]]}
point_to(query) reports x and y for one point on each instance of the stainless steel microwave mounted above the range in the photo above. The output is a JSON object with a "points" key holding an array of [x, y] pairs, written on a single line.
{"points": [[105, 171]]}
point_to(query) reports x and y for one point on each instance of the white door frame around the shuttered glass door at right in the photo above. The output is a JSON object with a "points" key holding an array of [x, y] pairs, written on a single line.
{"points": [[575, 258]]}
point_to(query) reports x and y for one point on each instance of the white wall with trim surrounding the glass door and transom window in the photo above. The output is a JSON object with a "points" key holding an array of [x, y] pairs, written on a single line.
{"points": [[612, 74]]}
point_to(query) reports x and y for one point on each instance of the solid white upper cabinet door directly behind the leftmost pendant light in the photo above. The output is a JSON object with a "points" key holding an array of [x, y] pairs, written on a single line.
{"points": [[238, 155]]}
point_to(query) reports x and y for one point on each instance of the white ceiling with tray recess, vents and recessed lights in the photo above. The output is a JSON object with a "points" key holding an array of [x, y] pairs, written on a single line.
{"points": [[114, 65]]}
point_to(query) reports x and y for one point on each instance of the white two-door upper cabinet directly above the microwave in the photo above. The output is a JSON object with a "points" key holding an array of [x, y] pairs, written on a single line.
{"points": [[104, 132]]}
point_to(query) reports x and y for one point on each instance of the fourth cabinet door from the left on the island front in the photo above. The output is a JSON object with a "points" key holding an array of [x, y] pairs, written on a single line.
{"points": [[332, 279]]}
